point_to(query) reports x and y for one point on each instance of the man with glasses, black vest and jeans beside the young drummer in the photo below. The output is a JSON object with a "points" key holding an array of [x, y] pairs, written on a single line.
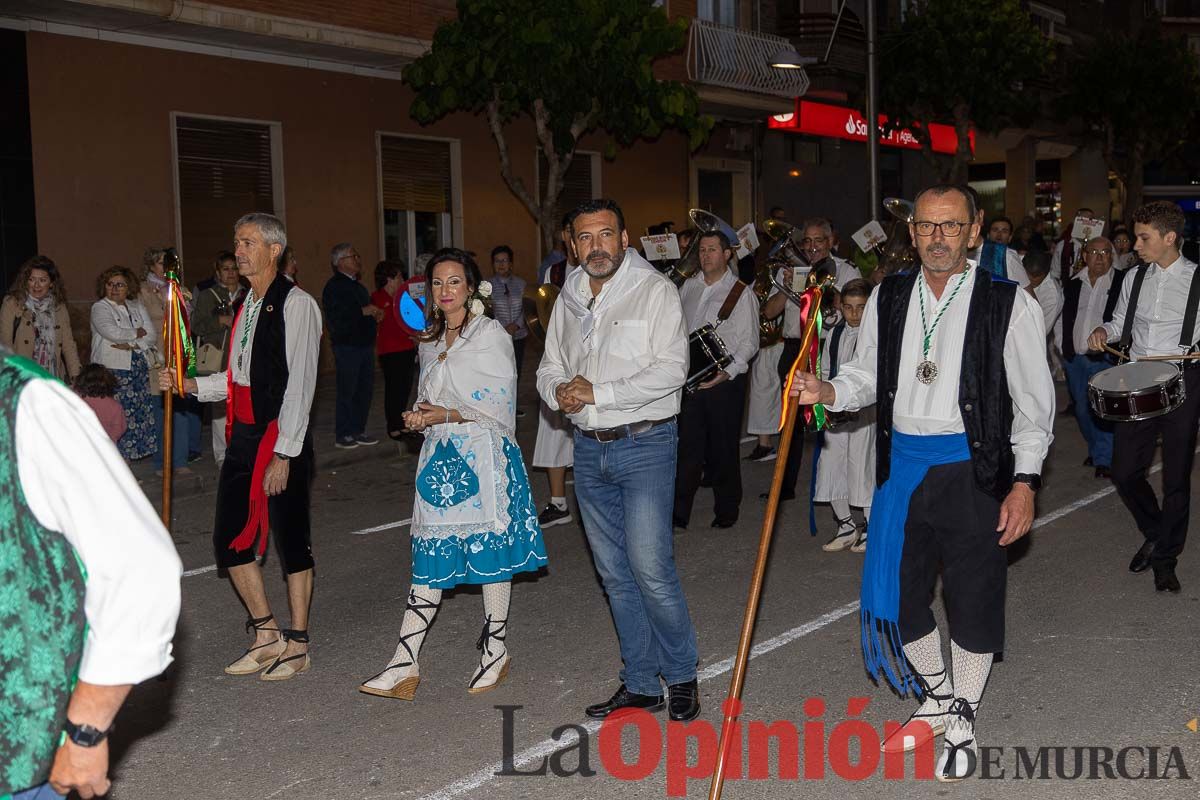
{"points": [[1089, 300]]}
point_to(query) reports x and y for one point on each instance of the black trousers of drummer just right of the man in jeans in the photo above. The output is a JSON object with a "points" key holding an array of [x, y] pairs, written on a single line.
{"points": [[710, 437]]}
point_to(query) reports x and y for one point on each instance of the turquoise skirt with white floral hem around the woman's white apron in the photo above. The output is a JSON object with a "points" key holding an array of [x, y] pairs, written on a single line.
{"points": [[487, 556]]}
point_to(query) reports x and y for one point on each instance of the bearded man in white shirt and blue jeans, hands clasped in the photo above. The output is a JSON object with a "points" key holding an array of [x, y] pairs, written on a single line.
{"points": [[616, 362]]}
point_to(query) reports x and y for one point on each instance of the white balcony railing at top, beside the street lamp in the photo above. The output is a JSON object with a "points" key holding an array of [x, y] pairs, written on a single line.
{"points": [[741, 59]]}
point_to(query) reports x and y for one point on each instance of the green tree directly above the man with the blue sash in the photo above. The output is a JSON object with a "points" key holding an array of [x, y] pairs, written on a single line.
{"points": [[967, 63]]}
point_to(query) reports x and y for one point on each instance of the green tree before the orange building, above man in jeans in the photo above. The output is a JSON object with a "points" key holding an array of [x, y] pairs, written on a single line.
{"points": [[573, 68]]}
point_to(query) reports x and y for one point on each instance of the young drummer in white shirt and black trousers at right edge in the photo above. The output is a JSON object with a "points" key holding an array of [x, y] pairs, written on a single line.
{"points": [[1151, 318]]}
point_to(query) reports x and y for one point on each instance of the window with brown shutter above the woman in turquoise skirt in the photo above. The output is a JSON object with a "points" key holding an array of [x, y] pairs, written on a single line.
{"points": [[417, 179]]}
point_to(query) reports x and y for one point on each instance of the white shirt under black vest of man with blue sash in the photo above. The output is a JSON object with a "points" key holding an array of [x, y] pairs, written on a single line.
{"points": [[934, 410]]}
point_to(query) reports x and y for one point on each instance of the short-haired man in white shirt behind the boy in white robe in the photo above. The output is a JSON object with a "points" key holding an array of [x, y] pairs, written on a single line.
{"points": [[818, 243]]}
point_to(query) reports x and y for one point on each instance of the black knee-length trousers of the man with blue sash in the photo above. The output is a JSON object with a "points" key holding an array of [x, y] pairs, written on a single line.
{"points": [[953, 524]]}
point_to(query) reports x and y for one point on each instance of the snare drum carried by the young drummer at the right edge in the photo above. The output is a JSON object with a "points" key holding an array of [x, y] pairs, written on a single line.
{"points": [[1139, 390]]}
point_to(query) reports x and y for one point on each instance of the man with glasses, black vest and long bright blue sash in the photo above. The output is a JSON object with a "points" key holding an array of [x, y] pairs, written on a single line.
{"points": [[951, 357]]}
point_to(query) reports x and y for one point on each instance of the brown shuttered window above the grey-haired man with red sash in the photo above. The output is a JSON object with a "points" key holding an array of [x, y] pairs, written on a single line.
{"points": [[225, 169]]}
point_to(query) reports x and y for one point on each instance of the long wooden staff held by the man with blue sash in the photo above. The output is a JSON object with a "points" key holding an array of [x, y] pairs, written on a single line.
{"points": [[760, 568]]}
